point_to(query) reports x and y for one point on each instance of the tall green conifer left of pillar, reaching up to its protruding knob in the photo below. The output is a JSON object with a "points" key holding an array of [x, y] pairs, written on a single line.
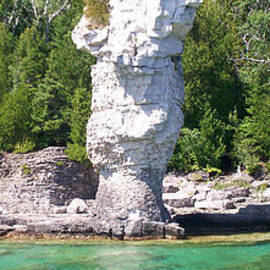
{"points": [[67, 70]]}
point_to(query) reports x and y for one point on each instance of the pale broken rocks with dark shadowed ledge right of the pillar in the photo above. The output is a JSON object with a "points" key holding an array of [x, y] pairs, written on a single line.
{"points": [[227, 204]]}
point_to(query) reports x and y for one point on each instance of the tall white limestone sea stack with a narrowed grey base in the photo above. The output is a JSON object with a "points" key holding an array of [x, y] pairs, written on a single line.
{"points": [[138, 92]]}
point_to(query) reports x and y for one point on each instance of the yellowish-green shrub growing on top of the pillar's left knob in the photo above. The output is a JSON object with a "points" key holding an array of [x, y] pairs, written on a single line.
{"points": [[98, 11]]}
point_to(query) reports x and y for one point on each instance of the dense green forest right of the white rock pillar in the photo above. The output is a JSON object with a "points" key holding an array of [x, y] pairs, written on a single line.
{"points": [[227, 75]]}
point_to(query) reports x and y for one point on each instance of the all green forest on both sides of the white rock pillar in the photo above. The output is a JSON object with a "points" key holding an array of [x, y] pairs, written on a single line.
{"points": [[45, 83]]}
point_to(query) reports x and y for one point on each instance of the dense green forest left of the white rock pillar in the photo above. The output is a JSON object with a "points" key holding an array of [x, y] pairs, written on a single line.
{"points": [[45, 84]]}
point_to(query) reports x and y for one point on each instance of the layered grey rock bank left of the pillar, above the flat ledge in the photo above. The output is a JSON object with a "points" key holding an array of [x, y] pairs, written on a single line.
{"points": [[39, 182]]}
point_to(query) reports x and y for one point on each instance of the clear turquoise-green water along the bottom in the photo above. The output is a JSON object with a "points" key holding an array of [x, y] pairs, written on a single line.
{"points": [[126, 256]]}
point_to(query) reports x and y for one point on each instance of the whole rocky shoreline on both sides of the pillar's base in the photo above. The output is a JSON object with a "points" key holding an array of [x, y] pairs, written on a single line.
{"points": [[55, 196]]}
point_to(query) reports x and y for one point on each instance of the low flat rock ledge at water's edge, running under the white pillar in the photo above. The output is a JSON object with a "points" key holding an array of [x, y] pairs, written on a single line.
{"points": [[88, 226]]}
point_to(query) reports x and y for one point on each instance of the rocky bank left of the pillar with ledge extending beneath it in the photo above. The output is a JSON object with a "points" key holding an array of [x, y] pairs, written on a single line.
{"points": [[46, 193]]}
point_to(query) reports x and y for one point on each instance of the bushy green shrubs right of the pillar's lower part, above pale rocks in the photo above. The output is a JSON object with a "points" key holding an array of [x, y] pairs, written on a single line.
{"points": [[200, 149]]}
